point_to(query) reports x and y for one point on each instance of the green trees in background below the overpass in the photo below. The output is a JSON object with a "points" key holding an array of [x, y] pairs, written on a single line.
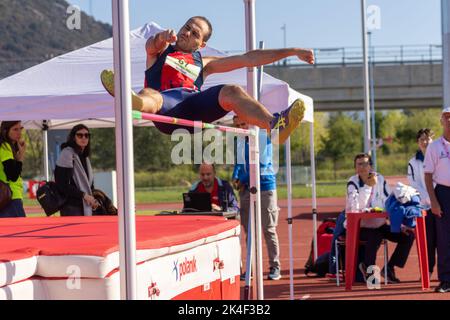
{"points": [[338, 136]]}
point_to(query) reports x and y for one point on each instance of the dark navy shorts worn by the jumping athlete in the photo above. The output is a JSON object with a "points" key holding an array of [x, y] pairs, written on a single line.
{"points": [[191, 105]]}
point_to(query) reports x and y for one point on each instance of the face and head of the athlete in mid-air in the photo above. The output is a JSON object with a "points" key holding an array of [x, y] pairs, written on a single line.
{"points": [[191, 36]]}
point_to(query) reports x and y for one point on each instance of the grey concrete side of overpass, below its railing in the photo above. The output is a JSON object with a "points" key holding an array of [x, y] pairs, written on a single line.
{"points": [[337, 87]]}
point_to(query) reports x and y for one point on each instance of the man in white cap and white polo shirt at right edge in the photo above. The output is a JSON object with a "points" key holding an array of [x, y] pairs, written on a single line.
{"points": [[437, 180]]}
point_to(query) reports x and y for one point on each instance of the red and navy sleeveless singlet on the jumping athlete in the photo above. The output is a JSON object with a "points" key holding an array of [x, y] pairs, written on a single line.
{"points": [[175, 69]]}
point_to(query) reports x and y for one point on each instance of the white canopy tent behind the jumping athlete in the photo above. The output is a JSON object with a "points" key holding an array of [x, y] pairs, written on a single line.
{"points": [[67, 90]]}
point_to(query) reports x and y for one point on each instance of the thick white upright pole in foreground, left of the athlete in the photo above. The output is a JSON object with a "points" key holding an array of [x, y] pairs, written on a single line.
{"points": [[124, 149]]}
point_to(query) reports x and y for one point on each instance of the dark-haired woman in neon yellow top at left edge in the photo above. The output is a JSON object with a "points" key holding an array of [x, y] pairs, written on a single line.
{"points": [[12, 153]]}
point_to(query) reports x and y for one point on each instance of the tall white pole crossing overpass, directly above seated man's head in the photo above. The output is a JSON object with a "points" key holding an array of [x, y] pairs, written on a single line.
{"points": [[365, 79]]}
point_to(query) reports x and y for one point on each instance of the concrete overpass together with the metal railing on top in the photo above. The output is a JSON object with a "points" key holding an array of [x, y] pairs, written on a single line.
{"points": [[404, 77]]}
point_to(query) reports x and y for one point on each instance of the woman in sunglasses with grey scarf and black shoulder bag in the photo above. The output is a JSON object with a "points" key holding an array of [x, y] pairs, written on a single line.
{"points": [[73, 173]]}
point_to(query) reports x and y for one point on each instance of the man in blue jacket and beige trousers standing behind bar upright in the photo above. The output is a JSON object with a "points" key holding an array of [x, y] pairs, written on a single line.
{"points": [[269, 206]]}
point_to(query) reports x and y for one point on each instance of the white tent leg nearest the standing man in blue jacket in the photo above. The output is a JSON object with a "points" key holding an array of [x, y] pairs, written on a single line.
{"points": [[289, 194]]}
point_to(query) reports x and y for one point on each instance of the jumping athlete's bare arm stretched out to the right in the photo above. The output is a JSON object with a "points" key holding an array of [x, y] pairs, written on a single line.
{"points": [[254, 58]]}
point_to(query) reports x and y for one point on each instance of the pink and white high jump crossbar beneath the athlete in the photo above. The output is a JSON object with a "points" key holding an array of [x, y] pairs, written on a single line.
{"points": [[137, 115]]}
